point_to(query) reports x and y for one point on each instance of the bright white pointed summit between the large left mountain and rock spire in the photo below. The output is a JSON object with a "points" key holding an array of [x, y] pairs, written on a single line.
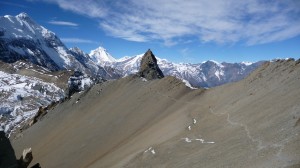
{"points": [[101, 56]]}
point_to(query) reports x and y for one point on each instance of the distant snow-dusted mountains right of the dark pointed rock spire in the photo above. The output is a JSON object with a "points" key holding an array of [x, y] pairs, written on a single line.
{"points": [[209, 73]]}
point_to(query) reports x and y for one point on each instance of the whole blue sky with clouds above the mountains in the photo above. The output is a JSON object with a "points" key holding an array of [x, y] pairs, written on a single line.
{"points": [[181, 31]]}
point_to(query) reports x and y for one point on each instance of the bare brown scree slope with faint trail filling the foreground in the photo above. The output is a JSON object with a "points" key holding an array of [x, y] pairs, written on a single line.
{"points": [[162, 123]]}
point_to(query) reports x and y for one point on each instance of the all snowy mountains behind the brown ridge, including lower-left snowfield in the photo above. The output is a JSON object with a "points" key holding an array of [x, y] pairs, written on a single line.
{"points": [[29, 51]]}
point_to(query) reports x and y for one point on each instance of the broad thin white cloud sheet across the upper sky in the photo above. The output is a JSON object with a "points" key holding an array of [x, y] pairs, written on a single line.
{"points": [[249, 21]]}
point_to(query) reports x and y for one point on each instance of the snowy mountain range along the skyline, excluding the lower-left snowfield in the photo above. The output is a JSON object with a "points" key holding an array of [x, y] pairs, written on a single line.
{"points": [[21, 38]]}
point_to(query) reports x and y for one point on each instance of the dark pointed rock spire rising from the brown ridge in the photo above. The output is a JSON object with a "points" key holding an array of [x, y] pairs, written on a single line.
{"points": [[149, 68]]}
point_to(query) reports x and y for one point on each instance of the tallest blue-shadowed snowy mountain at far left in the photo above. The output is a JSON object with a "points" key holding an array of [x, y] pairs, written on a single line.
{"points": [[23, 39]]}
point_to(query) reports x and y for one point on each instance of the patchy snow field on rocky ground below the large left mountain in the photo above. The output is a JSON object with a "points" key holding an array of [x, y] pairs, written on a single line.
{"points": [[21, 96]]}
